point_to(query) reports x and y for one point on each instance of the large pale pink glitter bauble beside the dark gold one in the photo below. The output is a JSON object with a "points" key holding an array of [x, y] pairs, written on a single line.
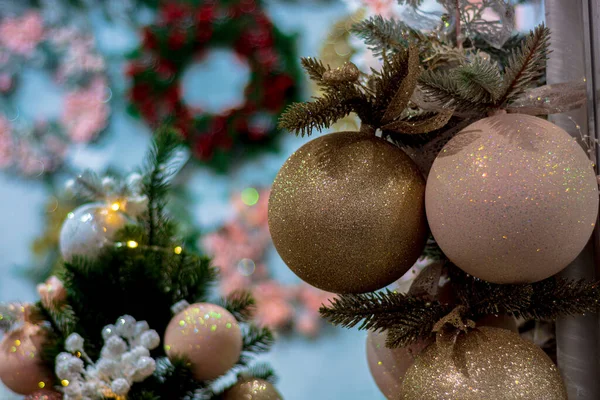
{"points": [[512, 199]]}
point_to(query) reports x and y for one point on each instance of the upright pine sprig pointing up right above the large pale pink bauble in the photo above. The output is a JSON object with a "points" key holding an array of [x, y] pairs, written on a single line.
{"points": [[526, 64]]}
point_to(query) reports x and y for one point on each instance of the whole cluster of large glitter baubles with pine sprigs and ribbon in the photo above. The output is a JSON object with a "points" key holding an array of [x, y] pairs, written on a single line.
{"points": [[509, 200]]}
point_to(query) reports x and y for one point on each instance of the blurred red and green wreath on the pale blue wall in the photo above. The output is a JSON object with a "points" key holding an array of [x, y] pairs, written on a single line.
{"points": [[184, 32]]}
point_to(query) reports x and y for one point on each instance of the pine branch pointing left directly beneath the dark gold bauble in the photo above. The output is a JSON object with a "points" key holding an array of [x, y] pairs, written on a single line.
{"points": [[383, 311]]}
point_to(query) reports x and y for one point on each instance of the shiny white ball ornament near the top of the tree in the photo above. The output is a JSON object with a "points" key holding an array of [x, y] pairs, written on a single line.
{"points": [[88, 229]]}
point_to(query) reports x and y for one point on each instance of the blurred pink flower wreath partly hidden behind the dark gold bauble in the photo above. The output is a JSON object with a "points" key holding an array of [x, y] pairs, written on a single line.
{"points": [[239, 249]]}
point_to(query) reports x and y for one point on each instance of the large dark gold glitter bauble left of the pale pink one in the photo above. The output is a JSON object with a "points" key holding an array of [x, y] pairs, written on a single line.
{"points": [[346, 212]]}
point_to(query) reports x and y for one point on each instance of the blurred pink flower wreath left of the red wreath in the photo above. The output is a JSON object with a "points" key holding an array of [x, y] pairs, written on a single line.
{"points": [[35, 147]]}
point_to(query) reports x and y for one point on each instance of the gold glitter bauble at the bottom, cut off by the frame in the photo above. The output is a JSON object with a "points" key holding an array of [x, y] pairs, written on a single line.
{"points": [[484, 364]]}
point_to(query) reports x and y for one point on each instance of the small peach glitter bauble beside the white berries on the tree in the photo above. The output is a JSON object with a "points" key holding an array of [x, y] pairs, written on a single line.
{"points": [[208, 336]]}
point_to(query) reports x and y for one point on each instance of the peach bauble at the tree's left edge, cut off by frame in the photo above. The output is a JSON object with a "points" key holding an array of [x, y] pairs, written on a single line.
{"points": [[21, 367]]}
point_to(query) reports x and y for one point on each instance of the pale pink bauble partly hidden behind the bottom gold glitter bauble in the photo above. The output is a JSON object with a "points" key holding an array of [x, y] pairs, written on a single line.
{"points": [[388, 366]]}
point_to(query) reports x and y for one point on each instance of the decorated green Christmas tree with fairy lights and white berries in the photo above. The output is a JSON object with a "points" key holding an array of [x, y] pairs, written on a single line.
{"points": [[107, 328]]}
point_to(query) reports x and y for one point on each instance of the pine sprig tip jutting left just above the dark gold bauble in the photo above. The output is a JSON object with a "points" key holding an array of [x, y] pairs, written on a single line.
{"points": [[302, 118]]}
